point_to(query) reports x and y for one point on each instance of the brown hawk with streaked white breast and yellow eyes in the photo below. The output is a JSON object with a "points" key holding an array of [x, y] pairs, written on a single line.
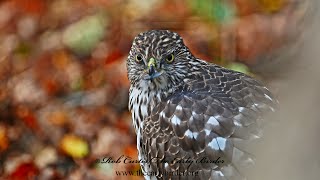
{"points": [[191, 117]]}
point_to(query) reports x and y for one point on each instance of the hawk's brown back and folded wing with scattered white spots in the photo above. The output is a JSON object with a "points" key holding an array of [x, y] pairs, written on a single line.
{"points": [[197, 129]]}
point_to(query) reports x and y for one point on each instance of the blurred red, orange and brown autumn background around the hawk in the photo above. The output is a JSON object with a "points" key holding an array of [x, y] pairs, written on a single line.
{"points": [[64, 87]]}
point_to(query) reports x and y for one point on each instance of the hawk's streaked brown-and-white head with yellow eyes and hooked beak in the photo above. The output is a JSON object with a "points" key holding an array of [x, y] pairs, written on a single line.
{"points": [[158, 58]]}
